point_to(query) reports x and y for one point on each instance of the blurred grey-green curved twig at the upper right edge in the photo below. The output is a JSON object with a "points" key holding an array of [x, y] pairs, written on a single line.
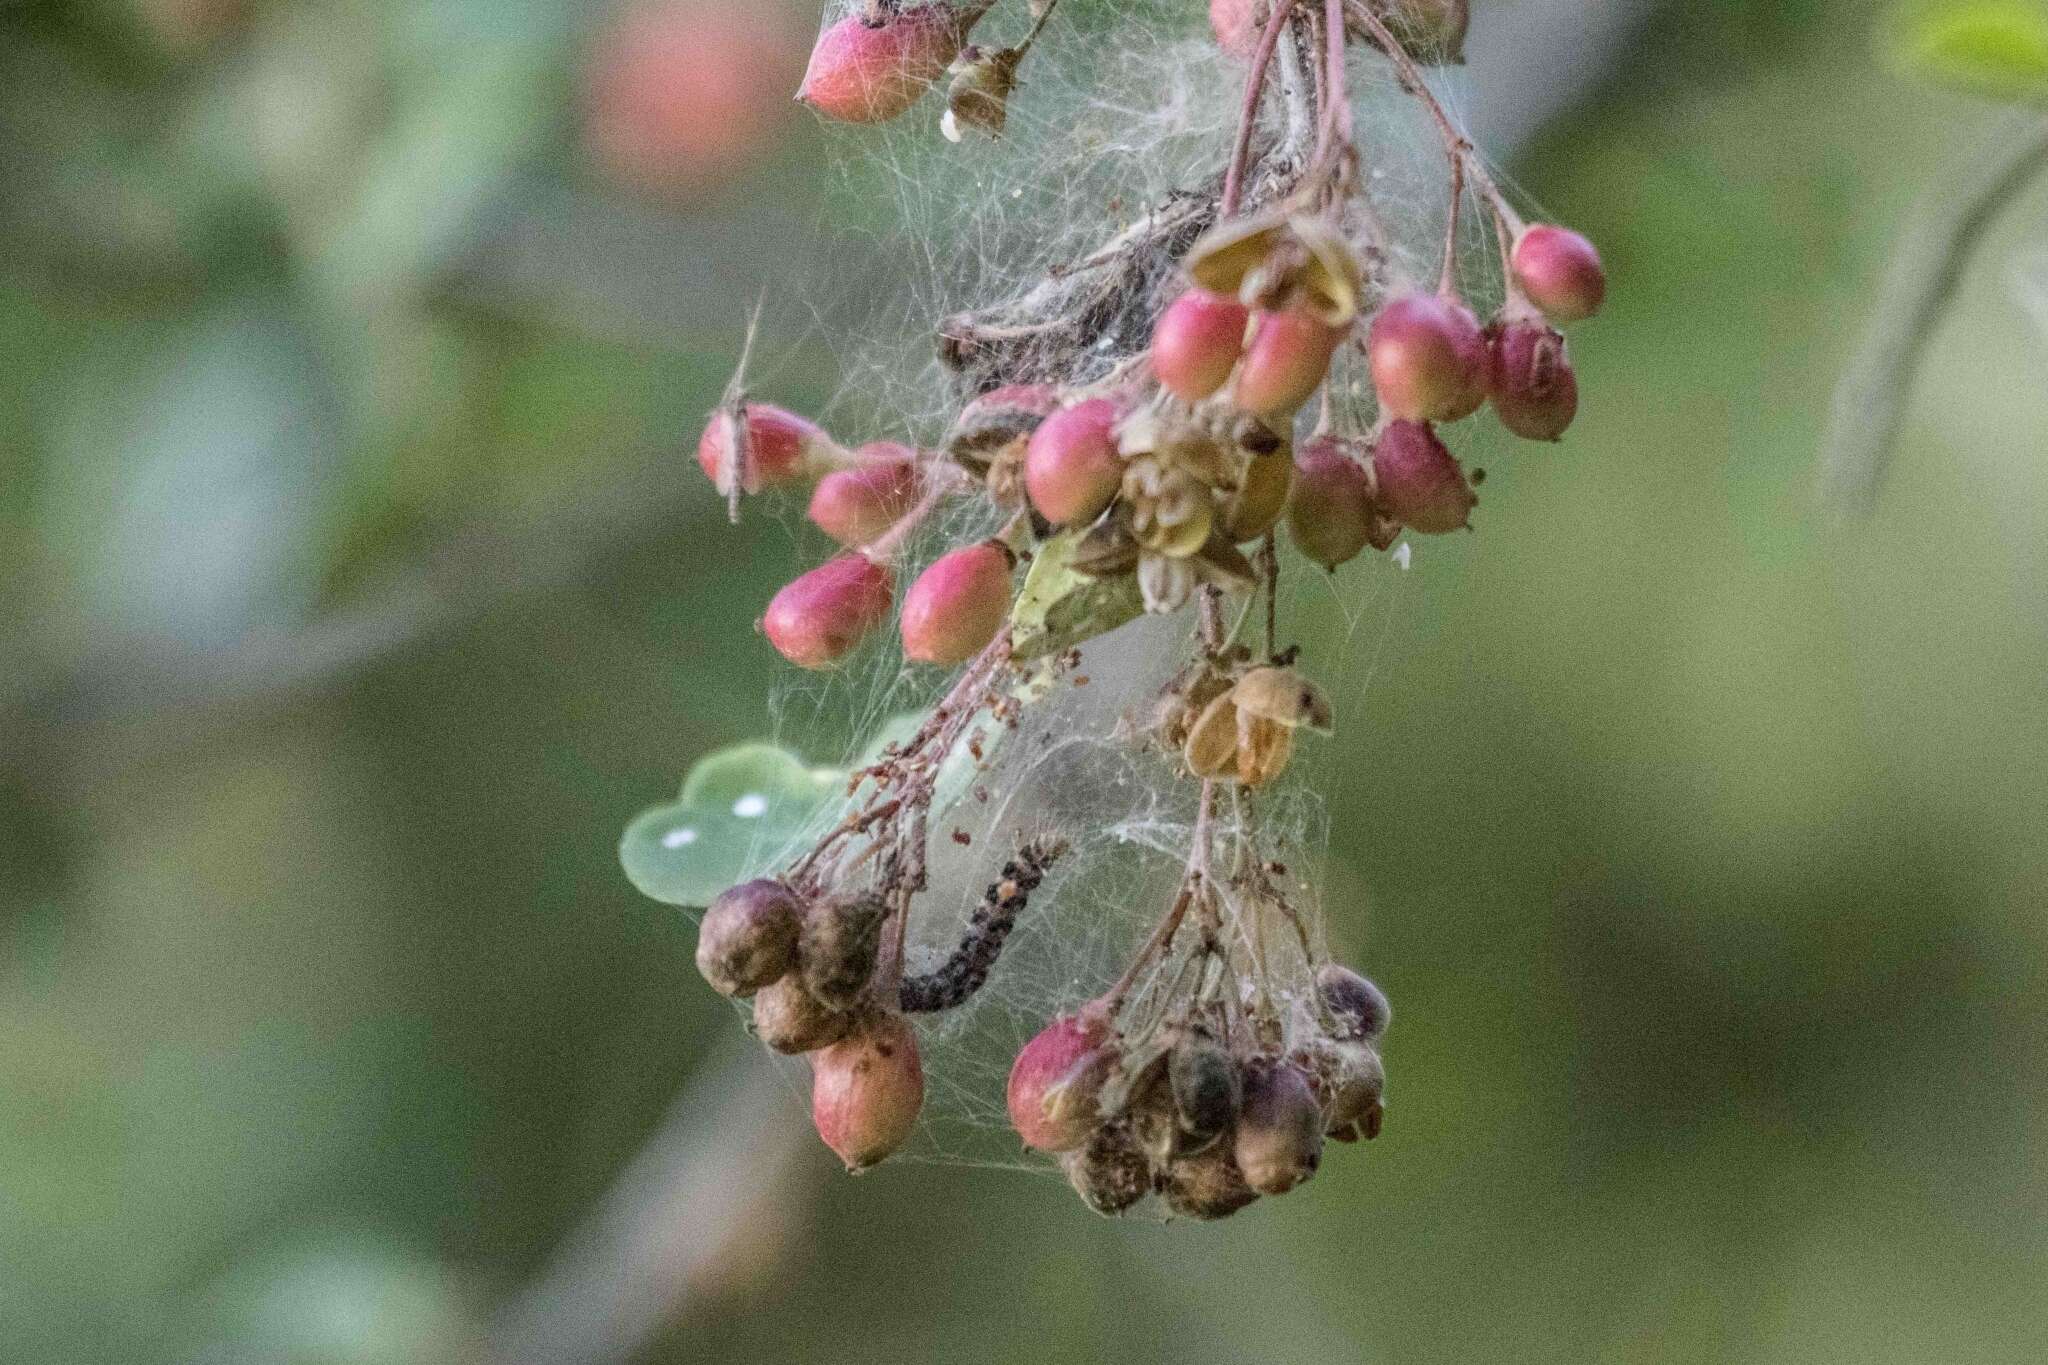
{"points": [[1920, 283]]}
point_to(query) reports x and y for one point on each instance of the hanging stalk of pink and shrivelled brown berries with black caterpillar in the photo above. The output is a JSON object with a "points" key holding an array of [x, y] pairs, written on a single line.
{"points": [[1160, 478]]}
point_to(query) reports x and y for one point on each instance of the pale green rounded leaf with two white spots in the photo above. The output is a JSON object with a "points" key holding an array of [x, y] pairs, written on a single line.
{"points": [[742, 809]]}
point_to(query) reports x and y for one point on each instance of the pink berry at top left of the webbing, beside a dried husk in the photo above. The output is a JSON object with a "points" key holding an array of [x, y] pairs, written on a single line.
{"points": [[869, 73]]}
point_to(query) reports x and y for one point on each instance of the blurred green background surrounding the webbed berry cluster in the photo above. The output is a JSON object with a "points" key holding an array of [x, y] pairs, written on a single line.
{"points": [[355, 590]]}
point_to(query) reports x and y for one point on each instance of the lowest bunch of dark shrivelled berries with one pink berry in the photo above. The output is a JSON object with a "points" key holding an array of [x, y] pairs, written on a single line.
{"points": [[1189, 1112]]}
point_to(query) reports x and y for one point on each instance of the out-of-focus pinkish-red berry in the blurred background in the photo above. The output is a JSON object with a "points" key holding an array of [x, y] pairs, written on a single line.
{"points": [[683, 97]]}
